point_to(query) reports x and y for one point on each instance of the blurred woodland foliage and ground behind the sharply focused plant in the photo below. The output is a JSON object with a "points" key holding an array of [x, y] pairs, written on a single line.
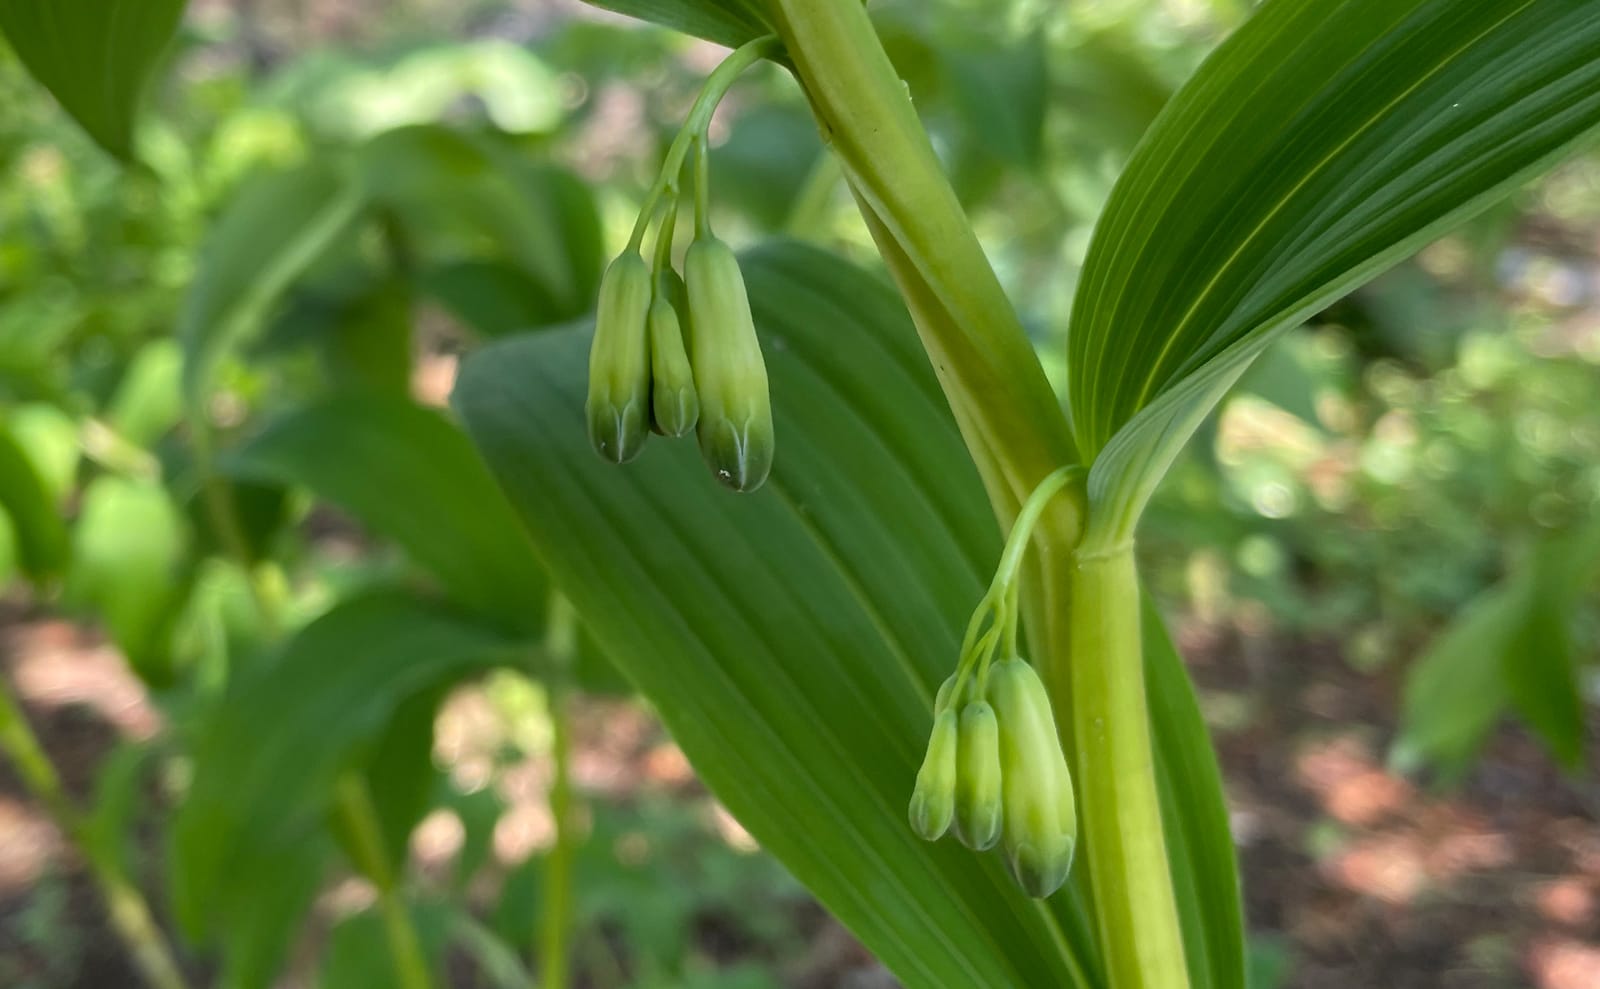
{"points": [[1385, 550]]}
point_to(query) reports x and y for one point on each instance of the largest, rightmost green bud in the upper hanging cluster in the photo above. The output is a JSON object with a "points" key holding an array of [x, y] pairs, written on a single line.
{"points": [[737, 414]]}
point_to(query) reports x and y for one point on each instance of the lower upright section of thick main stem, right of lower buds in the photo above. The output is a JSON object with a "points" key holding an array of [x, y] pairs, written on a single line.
{"points": [[1122, 812]]}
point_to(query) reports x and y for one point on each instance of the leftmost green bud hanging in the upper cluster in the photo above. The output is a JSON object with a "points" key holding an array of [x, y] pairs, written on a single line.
{"points": [[618, 407]]}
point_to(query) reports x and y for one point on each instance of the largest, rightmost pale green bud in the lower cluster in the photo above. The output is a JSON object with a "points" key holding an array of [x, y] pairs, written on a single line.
{"points": [[1041, 827]]}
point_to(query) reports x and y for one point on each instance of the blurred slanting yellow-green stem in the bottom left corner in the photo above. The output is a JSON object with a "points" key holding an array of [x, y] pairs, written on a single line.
{"points": [[130, 915]]}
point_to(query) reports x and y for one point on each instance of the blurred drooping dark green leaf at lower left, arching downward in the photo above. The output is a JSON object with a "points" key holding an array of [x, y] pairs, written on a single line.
{"points": [[271, 751]]}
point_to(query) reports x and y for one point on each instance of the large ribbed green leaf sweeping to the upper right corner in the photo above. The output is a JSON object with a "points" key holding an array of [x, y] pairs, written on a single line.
{"points": [[1318, 146]]}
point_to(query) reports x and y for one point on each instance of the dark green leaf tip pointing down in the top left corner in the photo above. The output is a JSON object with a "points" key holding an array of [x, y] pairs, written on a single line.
{"points": [[97, 57]]}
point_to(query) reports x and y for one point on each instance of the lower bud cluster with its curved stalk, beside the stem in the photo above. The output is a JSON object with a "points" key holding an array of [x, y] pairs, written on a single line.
{"points": [[994, 771]]}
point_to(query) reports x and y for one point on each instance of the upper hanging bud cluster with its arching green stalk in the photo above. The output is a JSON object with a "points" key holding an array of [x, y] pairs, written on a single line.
{"points": [[671, 353]]}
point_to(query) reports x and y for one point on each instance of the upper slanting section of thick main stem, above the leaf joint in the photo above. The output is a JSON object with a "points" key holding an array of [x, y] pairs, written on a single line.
{"points": [[986, 364]]}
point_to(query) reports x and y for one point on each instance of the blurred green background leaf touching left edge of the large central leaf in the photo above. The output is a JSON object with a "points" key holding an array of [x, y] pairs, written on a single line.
{"points": [[412, 476]]}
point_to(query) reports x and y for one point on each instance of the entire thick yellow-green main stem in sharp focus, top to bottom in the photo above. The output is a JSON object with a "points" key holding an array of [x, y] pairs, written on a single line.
{"points": [[1017, 434]]}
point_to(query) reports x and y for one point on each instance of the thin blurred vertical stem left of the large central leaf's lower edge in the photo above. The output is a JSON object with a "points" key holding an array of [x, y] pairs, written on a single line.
{"points": [[556, 931]]}
